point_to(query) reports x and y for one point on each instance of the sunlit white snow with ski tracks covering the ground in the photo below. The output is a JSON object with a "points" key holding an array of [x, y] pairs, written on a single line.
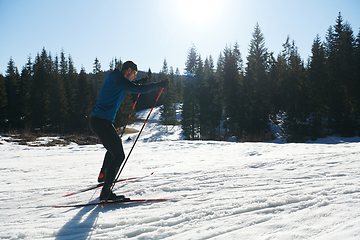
{"points": [[224, 190]]}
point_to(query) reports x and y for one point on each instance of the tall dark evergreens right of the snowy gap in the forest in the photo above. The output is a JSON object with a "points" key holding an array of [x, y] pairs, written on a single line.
{"points": [[306, 100]]}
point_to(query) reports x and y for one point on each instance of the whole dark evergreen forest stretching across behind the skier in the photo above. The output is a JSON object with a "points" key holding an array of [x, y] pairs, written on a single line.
{"points": [[232, 97]]}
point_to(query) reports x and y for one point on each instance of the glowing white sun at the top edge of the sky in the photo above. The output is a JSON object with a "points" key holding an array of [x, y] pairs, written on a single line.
{"points": [[198, 11]]}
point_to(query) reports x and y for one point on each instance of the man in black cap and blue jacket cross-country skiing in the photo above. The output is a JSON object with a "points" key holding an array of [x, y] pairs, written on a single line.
{"points": [[112, 93]]}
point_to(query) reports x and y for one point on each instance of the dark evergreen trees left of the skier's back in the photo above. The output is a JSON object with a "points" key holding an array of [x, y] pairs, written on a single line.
{"points": [[48, 95]]}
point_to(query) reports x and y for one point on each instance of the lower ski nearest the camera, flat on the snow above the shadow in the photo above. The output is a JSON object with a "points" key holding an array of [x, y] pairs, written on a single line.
{"points": [[126, 201]]}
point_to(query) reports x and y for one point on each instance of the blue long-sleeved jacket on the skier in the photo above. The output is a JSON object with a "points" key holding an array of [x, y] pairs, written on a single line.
{"points": [[112, 94]]}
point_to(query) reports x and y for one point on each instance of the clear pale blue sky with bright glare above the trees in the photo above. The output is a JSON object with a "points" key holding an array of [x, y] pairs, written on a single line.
{"points": [[150, 31]]}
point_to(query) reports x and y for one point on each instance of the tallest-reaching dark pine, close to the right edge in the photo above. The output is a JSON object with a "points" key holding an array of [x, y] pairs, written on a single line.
{"points": [[340, 46]]}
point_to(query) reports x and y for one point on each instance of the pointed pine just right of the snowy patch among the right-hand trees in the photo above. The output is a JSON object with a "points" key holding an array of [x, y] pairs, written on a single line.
{"points": [[288, 74]]}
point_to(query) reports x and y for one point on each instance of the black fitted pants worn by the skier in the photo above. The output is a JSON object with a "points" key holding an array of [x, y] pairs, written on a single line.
{"points": [[114, 156]]}
